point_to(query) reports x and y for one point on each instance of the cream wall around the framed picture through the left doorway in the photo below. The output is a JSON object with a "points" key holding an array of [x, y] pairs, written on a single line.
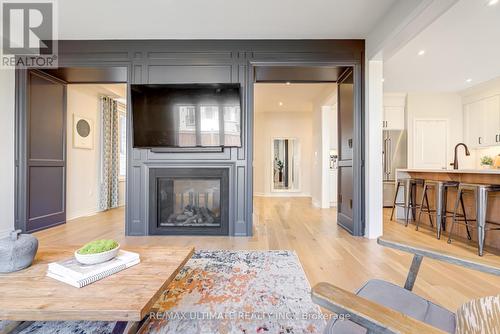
{"points": [[83, 165]]}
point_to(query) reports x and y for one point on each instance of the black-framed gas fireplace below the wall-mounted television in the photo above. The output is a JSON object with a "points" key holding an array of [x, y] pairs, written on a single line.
{"points": [[186, 201]]}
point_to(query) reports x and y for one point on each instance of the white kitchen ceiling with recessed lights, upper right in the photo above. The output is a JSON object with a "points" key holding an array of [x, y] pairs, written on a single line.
{"points": [[463, 43]]}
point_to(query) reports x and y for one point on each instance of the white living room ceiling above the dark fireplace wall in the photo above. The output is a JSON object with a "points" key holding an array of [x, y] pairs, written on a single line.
{"points": [[218, 19]]}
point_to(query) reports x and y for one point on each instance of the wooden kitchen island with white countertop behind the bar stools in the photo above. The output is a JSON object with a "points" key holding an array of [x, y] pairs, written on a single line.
{"points": [[477, 176]]}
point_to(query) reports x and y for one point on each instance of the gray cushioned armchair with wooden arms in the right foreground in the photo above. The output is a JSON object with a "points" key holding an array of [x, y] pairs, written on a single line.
{"points": [[383, 307]]}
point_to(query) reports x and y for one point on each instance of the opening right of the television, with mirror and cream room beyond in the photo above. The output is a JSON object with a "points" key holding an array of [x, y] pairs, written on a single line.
{"points": [[289, 153]]}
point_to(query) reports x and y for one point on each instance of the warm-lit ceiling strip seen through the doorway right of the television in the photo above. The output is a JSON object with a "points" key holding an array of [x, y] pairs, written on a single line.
{"points": [[294, 97]]}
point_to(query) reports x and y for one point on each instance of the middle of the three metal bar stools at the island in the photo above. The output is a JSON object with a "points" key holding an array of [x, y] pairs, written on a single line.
{"points": [[440, 204]]}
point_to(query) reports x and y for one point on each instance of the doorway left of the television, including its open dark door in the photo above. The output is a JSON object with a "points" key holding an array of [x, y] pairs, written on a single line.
{"points": [[62, 144]]}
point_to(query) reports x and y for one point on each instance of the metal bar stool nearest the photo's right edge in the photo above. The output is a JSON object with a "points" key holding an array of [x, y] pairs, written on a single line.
{"points": [[480, 192]]}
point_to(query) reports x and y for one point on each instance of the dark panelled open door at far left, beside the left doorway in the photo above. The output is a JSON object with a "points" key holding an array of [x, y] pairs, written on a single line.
{"points": [[45, 138]]}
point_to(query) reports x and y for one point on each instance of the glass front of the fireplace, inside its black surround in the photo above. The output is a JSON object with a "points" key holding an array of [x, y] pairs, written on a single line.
{"points": [[189, 202]]}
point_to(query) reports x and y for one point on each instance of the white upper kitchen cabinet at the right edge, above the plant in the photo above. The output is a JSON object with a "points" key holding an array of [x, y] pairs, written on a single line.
{"points": [[482, 122]]}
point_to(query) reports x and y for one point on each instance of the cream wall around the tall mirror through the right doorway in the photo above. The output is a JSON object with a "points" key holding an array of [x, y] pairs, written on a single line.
{"points": [[269, 125]]}
